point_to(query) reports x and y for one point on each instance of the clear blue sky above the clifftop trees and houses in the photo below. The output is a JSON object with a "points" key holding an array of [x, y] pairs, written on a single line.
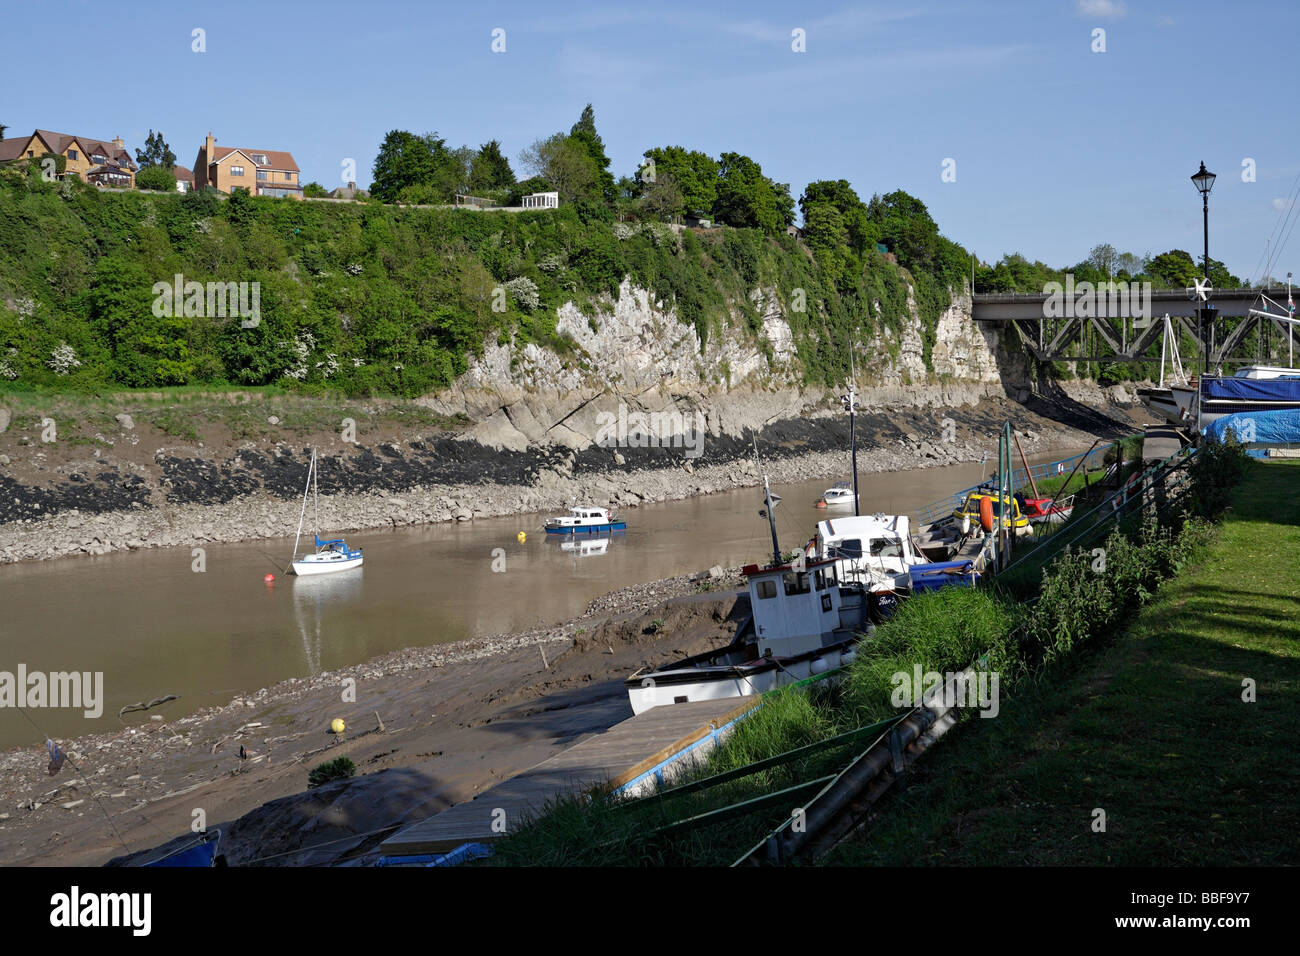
{"points": [[1056, 148]]}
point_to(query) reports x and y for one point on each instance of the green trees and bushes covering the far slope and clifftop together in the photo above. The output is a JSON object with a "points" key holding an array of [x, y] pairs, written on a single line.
{"points": [[383, 299]]}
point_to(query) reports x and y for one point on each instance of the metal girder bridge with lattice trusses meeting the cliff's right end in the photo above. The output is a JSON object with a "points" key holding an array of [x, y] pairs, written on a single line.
{"points": [[1111, 327]]}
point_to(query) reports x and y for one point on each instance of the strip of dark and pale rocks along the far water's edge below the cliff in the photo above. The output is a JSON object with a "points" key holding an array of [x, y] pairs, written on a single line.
{"points": [[185, 496]]}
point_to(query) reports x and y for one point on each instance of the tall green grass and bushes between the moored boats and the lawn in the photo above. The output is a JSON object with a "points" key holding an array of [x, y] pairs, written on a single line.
{"points": [[1025, 642]]}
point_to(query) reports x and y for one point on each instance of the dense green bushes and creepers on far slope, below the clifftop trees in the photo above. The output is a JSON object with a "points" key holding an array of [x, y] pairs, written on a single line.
{"points": [[378, 300]]}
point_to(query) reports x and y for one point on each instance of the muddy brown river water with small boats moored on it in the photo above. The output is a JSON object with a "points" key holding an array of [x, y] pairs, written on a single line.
{"points": [[155, 628]]}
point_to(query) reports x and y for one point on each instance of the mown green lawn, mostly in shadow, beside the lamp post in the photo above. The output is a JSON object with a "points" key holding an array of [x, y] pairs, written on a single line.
{"points": [[1150, 728]]}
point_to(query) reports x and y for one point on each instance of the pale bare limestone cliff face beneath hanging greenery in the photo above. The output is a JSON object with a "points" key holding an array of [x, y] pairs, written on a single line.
{"points": [[638, 353]]}
